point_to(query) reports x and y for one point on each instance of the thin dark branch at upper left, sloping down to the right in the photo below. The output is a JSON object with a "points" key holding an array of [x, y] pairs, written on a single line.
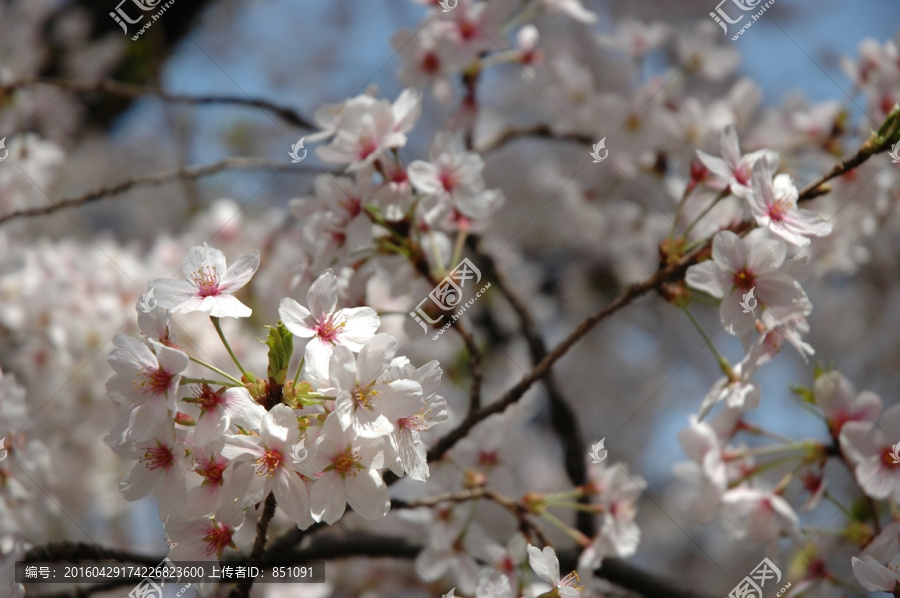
{"points": [[130, 91]]}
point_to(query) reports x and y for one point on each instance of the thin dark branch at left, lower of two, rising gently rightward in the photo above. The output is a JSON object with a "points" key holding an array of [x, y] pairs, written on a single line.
{"points": [[185, 173]]}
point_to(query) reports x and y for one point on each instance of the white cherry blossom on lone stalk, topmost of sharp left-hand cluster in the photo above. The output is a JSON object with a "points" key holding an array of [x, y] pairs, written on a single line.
{"points": [[209, 286]]}
